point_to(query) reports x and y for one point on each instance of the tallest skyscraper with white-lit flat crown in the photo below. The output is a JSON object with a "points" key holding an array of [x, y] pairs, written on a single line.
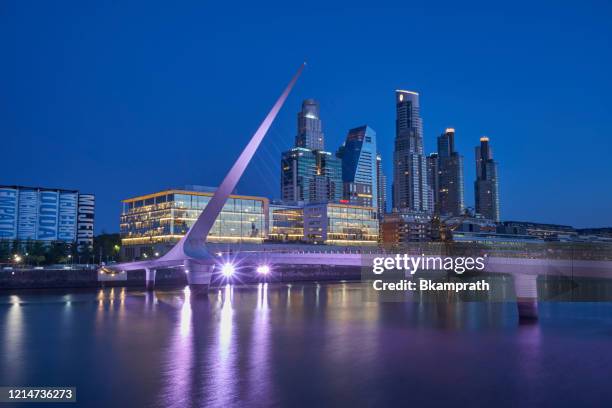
{"points": [[410, 189]]}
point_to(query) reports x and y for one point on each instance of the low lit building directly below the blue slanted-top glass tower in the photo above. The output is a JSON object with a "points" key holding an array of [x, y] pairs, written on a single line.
{"points": [[340, 224]]}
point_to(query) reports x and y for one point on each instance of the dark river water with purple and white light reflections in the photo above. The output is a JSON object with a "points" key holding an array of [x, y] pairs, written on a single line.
{"points": [[302, 345]]}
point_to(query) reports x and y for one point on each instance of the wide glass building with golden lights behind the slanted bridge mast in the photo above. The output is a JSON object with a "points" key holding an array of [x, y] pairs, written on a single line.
{"points": [[153, 223]]}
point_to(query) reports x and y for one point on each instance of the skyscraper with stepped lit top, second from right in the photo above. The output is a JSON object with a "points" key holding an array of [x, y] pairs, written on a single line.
{"points": [[450, 175]]}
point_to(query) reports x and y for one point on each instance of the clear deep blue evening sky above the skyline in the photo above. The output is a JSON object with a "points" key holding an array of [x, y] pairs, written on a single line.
{"points": [[121, 98]]}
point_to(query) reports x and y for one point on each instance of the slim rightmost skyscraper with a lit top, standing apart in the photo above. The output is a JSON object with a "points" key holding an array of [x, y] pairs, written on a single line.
{"points": [[486, 186]]}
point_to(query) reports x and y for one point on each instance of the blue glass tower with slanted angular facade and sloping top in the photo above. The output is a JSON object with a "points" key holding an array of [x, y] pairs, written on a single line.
{"points": [[359, 177]]}
